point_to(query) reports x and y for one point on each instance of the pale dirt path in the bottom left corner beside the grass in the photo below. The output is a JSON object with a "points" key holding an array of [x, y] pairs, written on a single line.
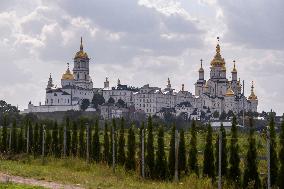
{"points": [[29, 181]]}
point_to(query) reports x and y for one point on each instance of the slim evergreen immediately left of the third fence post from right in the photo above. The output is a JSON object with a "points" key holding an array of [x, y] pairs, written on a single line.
{"points": [[172, 153]]}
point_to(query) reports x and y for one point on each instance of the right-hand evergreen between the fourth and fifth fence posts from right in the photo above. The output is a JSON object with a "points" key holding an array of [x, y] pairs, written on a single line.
{"points": [[130, 160]]}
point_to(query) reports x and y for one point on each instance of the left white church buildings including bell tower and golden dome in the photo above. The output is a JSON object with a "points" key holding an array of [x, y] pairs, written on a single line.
{"points": [[75, 86]]}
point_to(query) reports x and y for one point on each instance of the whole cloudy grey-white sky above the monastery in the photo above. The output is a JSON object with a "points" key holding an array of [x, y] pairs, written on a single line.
{"points": [[140, 42]]}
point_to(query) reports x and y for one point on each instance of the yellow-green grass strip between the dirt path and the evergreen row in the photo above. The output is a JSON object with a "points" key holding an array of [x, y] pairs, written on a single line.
{"points": [[77, 172]]}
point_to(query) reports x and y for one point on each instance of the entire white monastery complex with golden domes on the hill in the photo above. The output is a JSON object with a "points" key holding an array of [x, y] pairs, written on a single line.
{"points": [[217, 94]]}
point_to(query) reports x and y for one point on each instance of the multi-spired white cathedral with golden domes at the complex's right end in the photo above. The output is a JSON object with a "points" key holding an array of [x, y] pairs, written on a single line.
{"points": [[220, 94]]}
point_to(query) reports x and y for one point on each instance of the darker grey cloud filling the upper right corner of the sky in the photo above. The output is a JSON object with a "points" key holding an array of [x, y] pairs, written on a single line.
{"points": [[257, 23]]}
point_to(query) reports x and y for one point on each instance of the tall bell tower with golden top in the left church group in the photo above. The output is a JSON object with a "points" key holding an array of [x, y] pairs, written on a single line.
{"points": [[81, 69]]}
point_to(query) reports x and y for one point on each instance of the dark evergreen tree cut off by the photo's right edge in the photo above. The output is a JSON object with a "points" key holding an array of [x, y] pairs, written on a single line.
{"points": [[281, 157]]}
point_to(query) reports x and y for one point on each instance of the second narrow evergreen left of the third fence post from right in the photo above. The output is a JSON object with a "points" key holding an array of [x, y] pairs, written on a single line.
{"points": [[161, 160]]}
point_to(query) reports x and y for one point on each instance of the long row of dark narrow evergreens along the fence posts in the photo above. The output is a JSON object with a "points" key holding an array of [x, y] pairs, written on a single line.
{"points": [[143, 149]]}
